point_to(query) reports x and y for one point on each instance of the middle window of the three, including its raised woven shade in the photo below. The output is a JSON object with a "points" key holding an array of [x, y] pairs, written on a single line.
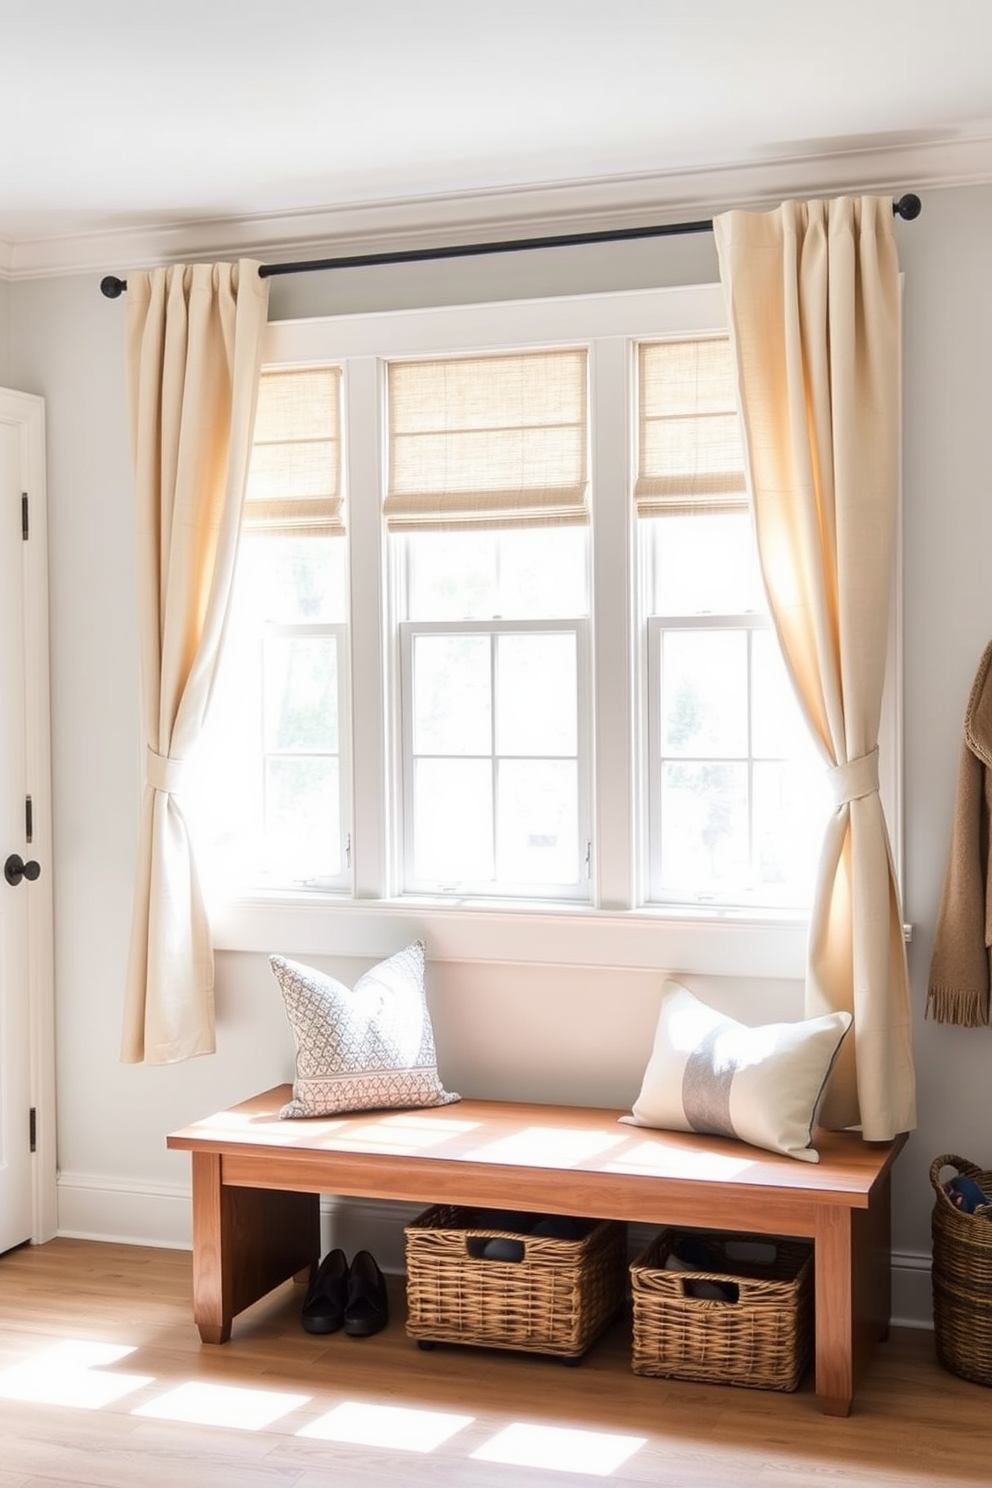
{"points": [[487, 510]]}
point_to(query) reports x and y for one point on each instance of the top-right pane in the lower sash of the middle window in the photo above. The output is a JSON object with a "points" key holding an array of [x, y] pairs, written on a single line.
{"points": [[536, 696]]}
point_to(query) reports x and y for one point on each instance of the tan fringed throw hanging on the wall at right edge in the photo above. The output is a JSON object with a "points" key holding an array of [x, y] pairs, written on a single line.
{"points": [[960, 978]]}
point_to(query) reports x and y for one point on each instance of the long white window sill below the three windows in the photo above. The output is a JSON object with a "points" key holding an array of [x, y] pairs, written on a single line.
{"points": [[707, 943]]}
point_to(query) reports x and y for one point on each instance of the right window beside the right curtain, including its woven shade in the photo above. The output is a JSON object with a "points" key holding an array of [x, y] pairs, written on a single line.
{"points": [[737, 791]]}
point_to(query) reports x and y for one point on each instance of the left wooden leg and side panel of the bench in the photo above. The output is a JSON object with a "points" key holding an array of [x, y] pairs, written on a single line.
{"points": [[246, 1242]]}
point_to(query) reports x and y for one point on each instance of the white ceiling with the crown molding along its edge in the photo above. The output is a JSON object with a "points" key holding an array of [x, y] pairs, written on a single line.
{"points": [[138, 117]]}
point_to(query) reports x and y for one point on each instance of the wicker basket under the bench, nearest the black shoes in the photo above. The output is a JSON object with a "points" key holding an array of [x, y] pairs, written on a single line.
{"points": [[555, 1300]]}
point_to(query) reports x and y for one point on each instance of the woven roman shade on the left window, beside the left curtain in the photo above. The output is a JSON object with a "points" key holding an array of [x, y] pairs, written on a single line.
{"points": [[295, 471]]}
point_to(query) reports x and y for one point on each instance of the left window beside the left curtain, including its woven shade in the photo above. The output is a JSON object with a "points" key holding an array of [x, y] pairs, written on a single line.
{"points": [[274, 767]]}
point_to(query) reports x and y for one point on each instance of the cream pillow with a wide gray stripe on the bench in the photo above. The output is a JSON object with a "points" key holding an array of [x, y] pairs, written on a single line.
{"points": [[710, 1074]]}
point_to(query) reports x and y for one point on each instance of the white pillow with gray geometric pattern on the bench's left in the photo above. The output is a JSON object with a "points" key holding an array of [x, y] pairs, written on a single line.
{"points": [[364, 1048]]}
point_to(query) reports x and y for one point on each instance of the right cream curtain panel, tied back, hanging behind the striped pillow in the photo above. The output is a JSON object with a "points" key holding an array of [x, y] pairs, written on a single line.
{"points": [[813, 297]]}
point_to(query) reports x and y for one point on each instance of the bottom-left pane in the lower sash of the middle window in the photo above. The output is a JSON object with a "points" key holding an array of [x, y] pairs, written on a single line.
{"points": [[453, 831]]}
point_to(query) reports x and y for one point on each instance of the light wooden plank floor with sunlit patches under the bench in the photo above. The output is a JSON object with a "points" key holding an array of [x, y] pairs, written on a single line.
{"points": [[102, 1371]]}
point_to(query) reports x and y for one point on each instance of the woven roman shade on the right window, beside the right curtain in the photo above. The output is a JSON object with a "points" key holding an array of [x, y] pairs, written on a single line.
{"points": [[691, 458]]}
